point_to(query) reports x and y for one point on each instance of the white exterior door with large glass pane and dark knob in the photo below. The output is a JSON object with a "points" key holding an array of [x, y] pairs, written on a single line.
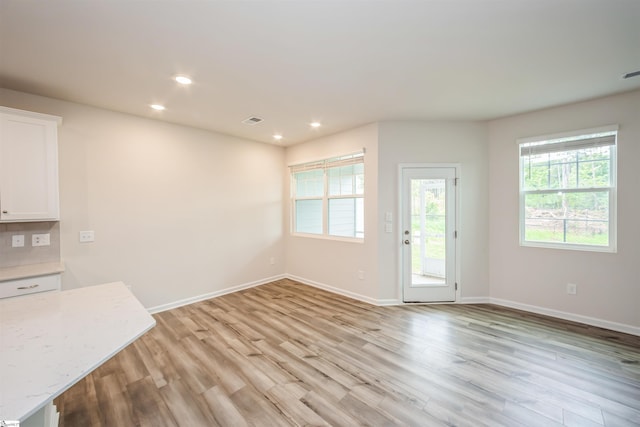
{"points": [[428, 206]]}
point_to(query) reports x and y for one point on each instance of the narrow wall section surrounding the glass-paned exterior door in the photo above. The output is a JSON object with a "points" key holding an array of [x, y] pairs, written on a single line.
{"points": [[437, 142]]}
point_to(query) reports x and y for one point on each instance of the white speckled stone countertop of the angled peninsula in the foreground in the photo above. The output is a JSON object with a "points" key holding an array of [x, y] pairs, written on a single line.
{"points": [[49, 341]]}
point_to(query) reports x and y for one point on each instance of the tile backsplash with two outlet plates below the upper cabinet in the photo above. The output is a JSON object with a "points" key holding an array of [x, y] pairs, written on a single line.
{"points": [[11, 257]]}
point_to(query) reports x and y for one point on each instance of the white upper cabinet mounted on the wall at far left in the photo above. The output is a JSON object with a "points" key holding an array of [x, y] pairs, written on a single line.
{"points": [[28, 166]]}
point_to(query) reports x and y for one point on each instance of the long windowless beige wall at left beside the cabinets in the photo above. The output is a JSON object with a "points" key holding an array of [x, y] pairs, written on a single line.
{"points": [[177, 212]]}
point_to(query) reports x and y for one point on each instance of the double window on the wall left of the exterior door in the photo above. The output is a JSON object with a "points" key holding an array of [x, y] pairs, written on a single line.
{"points": [[328, 197]]}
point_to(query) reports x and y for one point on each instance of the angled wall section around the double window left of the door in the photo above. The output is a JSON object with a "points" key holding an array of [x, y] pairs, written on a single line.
{"points": [[331, 263]]}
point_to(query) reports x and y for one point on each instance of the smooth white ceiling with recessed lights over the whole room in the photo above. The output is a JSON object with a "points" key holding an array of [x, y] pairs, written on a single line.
{"points": [[344, 63]]}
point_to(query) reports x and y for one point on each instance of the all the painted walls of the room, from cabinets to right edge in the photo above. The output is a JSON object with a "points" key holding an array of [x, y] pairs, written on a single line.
{"points": [[180, 212]]}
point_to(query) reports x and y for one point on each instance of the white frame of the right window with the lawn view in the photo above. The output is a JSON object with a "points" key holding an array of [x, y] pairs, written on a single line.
{"points": [[566, 138]]}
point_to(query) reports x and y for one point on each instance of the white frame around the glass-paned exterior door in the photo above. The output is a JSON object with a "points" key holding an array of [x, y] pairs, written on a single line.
{"points": [[399, 228]]}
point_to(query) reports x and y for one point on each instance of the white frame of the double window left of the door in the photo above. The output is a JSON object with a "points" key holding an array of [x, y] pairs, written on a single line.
{"points": [[325, 165]]}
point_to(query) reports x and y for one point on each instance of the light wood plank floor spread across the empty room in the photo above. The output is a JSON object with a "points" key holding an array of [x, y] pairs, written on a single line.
{"points": [[288, 354]]}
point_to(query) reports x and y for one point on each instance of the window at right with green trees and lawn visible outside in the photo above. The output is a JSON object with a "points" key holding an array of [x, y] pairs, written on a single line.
{"points": [[568, 190]]}
